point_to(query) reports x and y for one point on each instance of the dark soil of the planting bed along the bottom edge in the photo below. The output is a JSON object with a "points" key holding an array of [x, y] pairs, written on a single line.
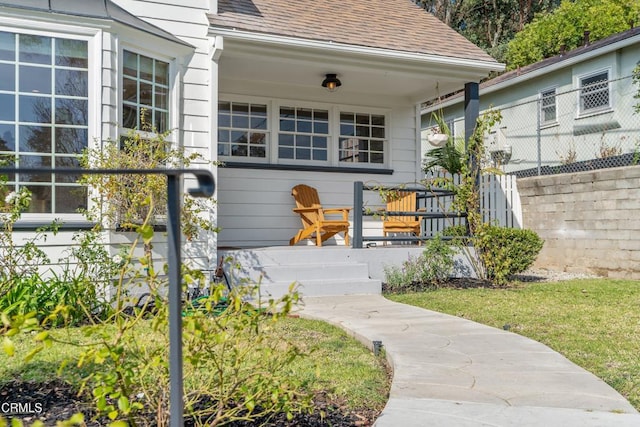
{"points": [[56, 401]]}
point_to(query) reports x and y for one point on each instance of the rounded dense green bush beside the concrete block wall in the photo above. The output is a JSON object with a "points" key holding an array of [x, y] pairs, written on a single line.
{"points": [[506, 251]]}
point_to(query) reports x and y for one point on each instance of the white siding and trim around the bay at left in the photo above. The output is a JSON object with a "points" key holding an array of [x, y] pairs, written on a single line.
{"points": [[190, 94]]}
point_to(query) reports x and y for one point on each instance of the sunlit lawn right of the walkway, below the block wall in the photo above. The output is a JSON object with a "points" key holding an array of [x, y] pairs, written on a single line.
{"points": [[595, 323]]}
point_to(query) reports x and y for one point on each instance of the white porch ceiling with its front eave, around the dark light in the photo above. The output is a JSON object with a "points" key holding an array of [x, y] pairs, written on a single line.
{"points": [[301, 65]]}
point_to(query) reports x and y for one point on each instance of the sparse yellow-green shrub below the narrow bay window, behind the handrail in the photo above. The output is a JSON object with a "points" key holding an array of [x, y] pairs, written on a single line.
{"points": [[126, 201]]}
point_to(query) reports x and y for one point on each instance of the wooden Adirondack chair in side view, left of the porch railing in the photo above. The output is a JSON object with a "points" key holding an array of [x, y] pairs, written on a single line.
{"points": [[314, 224]]}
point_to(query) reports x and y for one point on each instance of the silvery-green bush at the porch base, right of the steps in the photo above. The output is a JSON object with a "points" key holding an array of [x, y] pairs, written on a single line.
{"points": [[432, 268]]}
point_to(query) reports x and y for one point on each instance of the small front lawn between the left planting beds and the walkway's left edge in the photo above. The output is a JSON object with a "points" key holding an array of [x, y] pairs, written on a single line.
{"points": [[347, 380]]}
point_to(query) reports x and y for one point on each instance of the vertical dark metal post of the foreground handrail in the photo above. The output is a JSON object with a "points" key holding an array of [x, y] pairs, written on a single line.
{"points": [[176, 406]]}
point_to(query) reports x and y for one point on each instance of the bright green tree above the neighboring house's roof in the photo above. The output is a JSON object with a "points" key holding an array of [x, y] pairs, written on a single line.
{"points": [[565, 28]]}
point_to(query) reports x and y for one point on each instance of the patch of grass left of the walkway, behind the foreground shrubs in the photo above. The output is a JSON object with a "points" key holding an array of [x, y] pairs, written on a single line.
{"points": [[357, 379]]}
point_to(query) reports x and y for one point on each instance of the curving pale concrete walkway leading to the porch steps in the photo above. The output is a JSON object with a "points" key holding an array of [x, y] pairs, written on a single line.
{"points": [[450, 371]]}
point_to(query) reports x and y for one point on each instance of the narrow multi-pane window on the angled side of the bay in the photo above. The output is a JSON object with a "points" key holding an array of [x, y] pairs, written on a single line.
{"points": [[145, 87]]}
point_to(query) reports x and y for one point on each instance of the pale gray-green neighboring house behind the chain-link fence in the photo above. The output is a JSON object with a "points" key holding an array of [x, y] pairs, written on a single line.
{"points": [[572, 110]]}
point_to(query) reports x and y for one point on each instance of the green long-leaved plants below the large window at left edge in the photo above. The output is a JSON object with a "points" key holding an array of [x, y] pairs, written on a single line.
{"points": [[27, 286]]}
